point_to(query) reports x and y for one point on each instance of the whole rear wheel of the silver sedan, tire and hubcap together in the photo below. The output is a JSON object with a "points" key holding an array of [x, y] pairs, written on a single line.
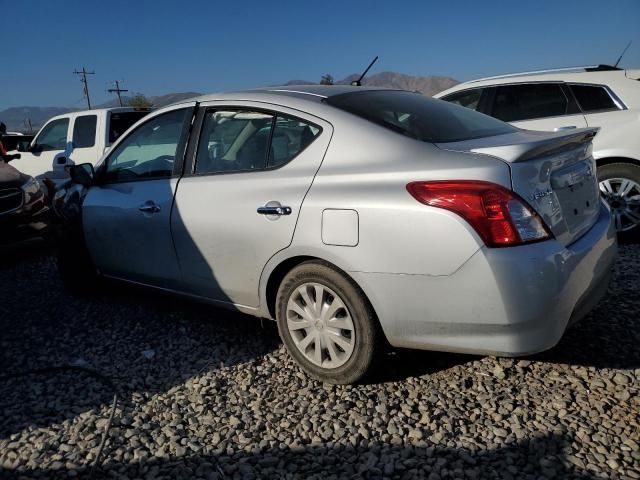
{"points": [[327, 324]]}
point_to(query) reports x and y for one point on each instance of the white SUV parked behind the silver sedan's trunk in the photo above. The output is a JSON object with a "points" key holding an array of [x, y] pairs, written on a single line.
{"points": [[598, 96]]}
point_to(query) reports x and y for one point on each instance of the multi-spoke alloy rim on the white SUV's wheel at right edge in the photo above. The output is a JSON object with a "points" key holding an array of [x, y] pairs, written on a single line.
{"points": [[623, 196]]}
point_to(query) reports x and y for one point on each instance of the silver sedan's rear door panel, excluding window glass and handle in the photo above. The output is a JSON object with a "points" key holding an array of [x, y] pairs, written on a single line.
{"points": [[222, 242]]}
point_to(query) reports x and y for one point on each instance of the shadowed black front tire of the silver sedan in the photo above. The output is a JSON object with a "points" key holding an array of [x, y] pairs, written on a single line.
{"points": [[75, 266]]}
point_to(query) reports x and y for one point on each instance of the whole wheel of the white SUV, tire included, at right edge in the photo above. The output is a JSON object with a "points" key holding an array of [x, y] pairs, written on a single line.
{"points": [[620, 187]]}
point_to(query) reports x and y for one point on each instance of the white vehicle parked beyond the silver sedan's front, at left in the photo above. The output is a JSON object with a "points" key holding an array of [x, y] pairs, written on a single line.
{"points": [[74, 138]]}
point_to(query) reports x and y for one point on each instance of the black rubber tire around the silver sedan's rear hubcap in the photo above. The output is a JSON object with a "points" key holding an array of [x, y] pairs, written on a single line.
{"points": [[368, 335]]}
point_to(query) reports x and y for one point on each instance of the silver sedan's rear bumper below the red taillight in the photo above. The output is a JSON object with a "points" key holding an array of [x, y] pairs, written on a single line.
{"points": [[510, 301]]}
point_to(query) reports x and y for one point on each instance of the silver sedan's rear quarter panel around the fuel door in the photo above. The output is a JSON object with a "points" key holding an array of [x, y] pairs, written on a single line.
{"points": [[366, 169]]}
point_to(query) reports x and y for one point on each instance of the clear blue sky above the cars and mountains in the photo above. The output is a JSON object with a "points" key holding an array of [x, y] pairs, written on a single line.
{"points": [[157, 47]]}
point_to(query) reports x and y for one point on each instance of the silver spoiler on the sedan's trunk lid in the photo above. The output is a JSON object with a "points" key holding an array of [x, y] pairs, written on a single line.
{"points": [[548, 144]]}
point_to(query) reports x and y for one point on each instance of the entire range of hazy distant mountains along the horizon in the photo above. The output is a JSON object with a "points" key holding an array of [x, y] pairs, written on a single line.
{"points": [[14, 117]]}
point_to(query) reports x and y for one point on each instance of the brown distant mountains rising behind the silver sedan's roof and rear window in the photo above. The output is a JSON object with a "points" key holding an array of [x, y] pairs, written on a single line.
{"points": [[428, 85]]}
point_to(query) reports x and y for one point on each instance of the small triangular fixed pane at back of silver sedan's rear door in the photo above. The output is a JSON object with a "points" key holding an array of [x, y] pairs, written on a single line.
{"points": [[290, 136]]}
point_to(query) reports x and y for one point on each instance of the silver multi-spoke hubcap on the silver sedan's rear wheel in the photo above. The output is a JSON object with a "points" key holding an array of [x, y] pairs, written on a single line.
{"points": [[320, 325]]}
